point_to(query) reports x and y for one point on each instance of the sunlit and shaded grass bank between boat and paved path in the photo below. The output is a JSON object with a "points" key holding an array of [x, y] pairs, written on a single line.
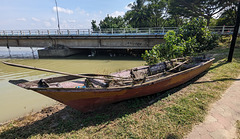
{"points": [[172, 115]]}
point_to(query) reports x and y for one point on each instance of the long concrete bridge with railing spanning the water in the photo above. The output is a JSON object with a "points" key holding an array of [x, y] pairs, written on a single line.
{"points": [[66, 42]]}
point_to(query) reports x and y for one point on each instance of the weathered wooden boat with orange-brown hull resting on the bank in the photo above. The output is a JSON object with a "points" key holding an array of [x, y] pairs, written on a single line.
{"points": [[96, 91]]}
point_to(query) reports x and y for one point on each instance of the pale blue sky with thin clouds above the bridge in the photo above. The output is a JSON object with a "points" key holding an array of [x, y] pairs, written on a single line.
{"points": [[73, 14]]}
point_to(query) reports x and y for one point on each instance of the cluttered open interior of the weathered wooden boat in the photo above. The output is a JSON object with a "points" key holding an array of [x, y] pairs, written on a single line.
{"points": [[128, 77]]}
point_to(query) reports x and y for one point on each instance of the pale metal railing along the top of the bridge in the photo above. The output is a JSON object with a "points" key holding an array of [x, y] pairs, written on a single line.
{"points": [[107, 31]]}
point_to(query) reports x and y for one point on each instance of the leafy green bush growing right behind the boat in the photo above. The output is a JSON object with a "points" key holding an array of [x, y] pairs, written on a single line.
{"points": [[193, 37]]}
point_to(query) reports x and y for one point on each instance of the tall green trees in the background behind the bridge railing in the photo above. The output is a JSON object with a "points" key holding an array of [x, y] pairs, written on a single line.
{"points": [[160, 13]]}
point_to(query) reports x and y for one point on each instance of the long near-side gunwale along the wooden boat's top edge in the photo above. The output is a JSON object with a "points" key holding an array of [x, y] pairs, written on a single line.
{"points": [[127, 86]]}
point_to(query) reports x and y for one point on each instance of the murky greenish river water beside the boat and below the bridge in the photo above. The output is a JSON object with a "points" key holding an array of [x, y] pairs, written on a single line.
{"points": [[16, 102]]}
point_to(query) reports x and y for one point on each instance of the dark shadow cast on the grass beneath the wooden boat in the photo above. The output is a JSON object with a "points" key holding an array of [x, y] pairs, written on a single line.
{"points": [[70, 120]]}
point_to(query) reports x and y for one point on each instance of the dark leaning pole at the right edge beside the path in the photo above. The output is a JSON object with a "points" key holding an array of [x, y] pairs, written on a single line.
{"points": [[235, 33]]}
